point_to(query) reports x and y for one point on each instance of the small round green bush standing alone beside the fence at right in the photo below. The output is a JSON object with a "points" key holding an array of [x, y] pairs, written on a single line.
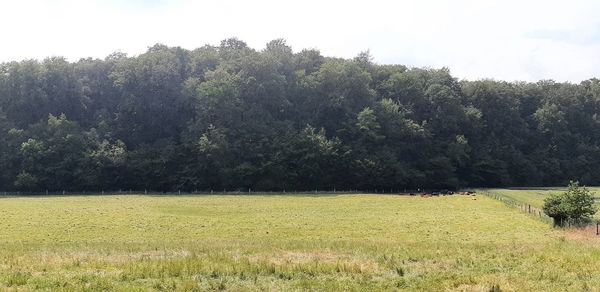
{"points": [[575, 205]]}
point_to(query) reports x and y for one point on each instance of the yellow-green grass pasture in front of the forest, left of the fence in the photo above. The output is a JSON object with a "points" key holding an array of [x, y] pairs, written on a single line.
{"points": [[328, 242]]}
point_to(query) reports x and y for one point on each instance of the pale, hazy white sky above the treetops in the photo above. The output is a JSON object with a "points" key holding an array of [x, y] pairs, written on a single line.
{"points": [[510, 40]]}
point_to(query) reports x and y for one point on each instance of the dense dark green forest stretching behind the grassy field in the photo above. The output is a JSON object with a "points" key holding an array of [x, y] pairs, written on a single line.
{"points": [[232, 117]]}
